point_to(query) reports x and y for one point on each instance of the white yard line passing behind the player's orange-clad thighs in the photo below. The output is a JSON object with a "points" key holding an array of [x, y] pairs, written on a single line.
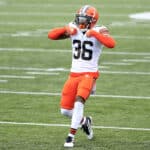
{"points": [[59, 94]]}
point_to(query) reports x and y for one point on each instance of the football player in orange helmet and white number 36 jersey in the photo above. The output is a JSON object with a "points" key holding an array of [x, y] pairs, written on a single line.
{"points": [[87, 43]]}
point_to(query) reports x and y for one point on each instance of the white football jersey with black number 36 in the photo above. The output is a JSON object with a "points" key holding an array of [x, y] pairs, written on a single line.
{"points": [[85, 51]]}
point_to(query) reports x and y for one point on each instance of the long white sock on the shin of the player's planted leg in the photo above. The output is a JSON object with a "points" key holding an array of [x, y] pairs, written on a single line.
{"points": [[77, 115]]}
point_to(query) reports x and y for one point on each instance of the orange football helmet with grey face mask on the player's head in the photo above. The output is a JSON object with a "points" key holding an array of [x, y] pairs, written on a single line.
{"points": [[86, 17]]}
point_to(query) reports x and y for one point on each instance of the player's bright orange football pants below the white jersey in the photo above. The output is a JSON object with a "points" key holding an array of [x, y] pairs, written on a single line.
{"points": [[78, 84]]}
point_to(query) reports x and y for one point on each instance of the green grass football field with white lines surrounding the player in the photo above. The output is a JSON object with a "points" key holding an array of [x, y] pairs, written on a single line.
{"points": [[33, 70]]}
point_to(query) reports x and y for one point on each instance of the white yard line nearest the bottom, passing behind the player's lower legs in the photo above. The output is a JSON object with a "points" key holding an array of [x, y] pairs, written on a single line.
{"points": [[67, 125]]}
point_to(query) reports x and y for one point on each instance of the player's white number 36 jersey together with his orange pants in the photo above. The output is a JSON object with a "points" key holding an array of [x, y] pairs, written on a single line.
{"points": [[84, 69]]}
